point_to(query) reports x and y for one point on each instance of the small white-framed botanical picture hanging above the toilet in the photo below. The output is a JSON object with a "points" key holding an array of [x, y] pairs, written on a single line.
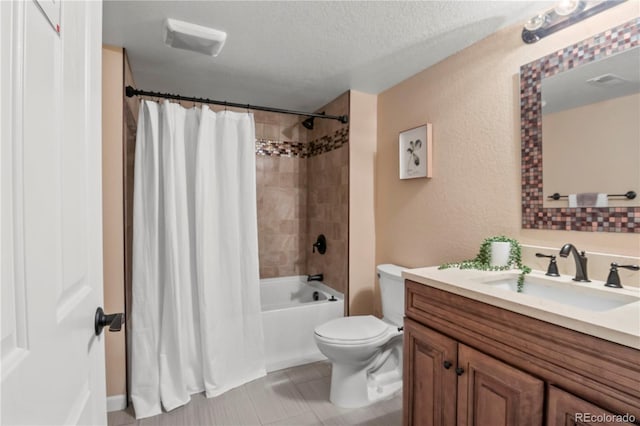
{"points": [[415, 152]]}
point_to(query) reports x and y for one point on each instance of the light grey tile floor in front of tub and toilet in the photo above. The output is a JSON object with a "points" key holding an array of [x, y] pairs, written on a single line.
{"points": [[297, 396]]}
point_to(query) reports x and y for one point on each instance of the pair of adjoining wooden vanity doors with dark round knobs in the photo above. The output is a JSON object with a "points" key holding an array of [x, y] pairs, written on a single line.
{"points": [[448, 381]]}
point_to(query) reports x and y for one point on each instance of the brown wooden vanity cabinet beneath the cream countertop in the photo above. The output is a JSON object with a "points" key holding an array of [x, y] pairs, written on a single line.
{"points": [[470, 363]]}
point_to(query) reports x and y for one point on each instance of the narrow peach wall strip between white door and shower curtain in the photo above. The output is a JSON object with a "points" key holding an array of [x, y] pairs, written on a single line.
{"points": [[113, 219]]}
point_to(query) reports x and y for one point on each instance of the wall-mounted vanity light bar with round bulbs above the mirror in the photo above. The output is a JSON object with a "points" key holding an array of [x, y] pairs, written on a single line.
{"points": [[564, 14]]}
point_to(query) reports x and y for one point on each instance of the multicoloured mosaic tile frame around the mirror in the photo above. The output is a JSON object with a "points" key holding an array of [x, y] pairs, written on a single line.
{"points": [[534, 215]]}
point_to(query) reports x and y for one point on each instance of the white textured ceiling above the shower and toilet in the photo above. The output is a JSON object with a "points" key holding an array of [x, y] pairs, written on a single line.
{"points": [[301, 54]]}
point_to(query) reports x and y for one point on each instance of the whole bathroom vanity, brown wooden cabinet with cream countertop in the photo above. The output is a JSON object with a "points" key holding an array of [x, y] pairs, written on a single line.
{"points": [[476, 353]]}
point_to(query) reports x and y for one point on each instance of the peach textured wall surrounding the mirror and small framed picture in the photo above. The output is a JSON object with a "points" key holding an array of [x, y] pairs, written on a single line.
{"points": [[472, 99]]}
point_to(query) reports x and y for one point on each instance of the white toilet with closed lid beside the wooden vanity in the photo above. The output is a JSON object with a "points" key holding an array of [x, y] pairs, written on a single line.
{"points": [[366, 352]]}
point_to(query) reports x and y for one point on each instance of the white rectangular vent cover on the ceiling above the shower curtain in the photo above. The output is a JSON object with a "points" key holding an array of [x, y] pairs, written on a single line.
{"points": [[196, 38]]}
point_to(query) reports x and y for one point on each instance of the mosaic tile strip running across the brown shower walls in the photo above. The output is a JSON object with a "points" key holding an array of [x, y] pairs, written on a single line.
{"points": [[300, 149]]}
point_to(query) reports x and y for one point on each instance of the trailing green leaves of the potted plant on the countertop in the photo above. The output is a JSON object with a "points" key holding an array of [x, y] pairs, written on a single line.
{"points": [[482, 261]]}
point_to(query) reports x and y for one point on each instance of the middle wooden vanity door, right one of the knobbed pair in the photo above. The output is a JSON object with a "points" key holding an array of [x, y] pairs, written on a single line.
{"points": [[493, 393]]}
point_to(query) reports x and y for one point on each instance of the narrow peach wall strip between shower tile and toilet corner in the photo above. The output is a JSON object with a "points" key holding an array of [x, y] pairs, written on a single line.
{"points": [[363, 291]]}
